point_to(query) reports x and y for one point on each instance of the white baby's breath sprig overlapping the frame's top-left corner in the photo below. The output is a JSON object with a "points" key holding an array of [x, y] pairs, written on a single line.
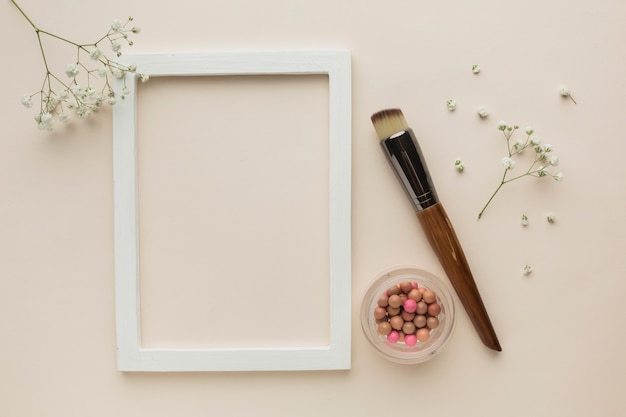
{"points": [[87, 83]]}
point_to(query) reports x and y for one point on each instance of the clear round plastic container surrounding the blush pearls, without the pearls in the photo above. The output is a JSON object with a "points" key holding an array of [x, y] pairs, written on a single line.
{"points": [[400, 352]]}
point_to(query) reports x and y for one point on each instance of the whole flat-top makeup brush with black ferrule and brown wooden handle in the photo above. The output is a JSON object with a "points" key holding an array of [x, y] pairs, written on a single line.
{"points": [[405, 156]]}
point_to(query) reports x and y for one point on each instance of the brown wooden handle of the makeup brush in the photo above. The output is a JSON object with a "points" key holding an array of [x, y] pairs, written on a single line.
{"points": [[444, 242]]}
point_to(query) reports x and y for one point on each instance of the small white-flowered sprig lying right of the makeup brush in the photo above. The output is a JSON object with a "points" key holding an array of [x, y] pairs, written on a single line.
{"points": [[541, 164]]}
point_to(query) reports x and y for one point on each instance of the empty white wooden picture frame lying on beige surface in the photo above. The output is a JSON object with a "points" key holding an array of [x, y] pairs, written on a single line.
{"points": [[131, 355]]}
